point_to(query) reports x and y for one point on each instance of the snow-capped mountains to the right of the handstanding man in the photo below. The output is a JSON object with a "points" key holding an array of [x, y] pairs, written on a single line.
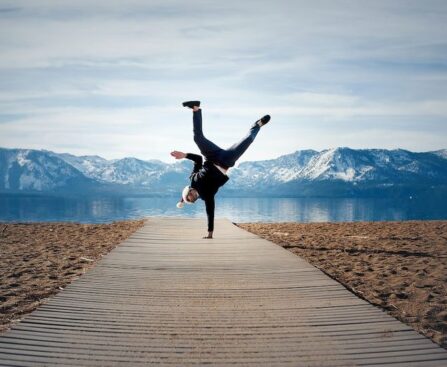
{"points": [[346, 165]]}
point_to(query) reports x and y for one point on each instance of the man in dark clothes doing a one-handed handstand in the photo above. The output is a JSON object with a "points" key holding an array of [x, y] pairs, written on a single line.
{"points": [[206, 178]]}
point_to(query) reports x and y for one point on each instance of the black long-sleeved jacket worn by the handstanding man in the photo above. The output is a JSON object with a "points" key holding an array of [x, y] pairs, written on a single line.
{"points": [[206, 178]]}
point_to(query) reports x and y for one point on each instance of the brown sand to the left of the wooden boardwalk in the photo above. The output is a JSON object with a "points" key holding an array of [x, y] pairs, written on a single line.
{"points": [[37, 260]]}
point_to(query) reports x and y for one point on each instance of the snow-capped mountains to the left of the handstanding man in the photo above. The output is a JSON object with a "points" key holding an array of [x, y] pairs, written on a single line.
{"points": [[44, 171]]}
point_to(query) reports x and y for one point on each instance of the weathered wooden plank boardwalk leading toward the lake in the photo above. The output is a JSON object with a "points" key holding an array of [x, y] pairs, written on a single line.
{"points": [[167, 297]]}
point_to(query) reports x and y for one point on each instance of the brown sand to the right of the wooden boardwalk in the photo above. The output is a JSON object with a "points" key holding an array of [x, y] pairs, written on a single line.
{"points": [[398, 266]]}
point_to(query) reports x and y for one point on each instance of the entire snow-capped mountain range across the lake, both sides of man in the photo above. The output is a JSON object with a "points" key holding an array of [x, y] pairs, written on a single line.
{"points": [[339, 171]]}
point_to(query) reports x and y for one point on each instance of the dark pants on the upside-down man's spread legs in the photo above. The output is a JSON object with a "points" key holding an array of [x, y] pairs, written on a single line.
{"points": [[223, 157]]}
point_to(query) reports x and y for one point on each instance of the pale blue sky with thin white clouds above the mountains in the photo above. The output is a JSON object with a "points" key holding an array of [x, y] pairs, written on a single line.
{"points": [[108, 77]]}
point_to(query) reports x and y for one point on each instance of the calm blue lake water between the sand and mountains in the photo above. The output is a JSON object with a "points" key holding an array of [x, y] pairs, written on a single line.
{"points": [[19, 208]]}
